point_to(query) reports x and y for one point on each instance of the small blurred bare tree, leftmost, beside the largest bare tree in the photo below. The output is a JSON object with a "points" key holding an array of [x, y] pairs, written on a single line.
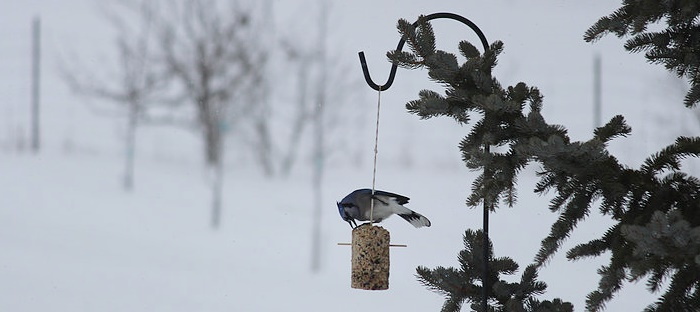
{"points": [[137, 81]]}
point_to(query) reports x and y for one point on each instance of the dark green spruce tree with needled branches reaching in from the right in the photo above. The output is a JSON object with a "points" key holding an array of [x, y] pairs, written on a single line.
{"points": [[655, 208]]}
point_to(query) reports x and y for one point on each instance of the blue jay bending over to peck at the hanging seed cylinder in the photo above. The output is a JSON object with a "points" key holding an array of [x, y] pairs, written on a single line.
{"points": [[356, 206]]}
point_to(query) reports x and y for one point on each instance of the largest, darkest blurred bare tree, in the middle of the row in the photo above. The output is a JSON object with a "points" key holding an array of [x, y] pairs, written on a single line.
{"points": [[210, 51]]}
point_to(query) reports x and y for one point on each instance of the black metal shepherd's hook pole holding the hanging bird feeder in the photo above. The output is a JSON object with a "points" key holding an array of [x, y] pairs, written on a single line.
{"points": [[390, 80]]}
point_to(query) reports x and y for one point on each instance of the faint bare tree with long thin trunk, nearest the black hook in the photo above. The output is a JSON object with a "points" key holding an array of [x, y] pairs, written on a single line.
{"points": [[313, 124]]}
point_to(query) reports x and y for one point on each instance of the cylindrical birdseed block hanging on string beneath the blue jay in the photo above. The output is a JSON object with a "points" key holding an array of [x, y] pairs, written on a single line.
{"points": [[370, 258]]}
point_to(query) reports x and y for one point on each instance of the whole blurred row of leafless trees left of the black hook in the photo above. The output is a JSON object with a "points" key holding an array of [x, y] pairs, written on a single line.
{"points": [[212, 66]]}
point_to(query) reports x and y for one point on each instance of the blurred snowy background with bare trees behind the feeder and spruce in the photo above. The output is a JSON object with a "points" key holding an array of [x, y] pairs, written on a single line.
{"points": [[186, 155]]}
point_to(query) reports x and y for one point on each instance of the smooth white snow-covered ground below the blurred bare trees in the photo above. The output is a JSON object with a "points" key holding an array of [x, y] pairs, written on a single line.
{"points": [[72, 241]]}
